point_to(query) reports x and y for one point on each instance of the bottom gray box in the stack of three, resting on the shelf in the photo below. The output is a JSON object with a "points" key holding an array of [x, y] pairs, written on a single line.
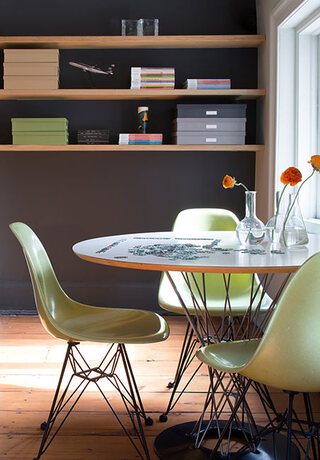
{"points": [[203, 138]]}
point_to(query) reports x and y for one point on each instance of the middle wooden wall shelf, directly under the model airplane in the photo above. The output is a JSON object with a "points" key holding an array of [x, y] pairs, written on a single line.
{"points": [[126, 94]]}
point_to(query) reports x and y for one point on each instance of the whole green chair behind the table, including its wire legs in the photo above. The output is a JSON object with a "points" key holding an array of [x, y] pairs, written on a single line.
{"points": [[243, 291]]}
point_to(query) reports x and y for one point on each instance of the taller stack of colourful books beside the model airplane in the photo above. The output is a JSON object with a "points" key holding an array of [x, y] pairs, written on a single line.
{"points": [[152, 77]]}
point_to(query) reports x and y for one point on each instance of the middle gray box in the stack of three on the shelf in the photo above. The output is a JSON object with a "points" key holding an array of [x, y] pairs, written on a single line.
{"points": [[203, 124]]}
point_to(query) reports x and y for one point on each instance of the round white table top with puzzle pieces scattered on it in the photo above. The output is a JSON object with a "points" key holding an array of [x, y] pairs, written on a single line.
{"points": [[207, 252]]}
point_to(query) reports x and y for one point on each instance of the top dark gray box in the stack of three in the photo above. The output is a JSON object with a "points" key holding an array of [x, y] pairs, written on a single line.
{"points": [[211, 110]]}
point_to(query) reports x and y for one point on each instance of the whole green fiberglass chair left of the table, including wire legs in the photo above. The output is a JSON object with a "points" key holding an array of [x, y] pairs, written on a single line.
{"points": [[75, 322]]}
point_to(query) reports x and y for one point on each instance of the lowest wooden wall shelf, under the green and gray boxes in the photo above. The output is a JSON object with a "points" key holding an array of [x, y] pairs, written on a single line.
{"points": [[125, 148]]}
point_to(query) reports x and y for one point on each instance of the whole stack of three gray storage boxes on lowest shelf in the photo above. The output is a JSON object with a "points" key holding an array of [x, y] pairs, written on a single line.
{"points": [[210, 124]]}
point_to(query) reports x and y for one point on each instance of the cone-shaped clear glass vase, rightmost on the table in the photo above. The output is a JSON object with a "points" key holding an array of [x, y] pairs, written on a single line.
{"points": [[294, 229]]}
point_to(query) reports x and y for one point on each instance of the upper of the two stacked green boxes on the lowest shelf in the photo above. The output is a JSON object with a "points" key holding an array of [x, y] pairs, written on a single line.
{"points": [[39, 124]]}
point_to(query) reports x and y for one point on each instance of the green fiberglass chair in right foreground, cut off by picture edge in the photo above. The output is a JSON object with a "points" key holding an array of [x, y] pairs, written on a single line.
{"points": [[288, 354]]}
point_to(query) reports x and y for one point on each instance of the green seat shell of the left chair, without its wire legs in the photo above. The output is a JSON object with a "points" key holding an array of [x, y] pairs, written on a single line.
{"points": [[67, 319]]}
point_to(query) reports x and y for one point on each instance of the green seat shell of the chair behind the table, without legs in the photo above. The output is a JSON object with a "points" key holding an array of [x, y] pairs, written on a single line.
{"points": [[210, 219]]}
